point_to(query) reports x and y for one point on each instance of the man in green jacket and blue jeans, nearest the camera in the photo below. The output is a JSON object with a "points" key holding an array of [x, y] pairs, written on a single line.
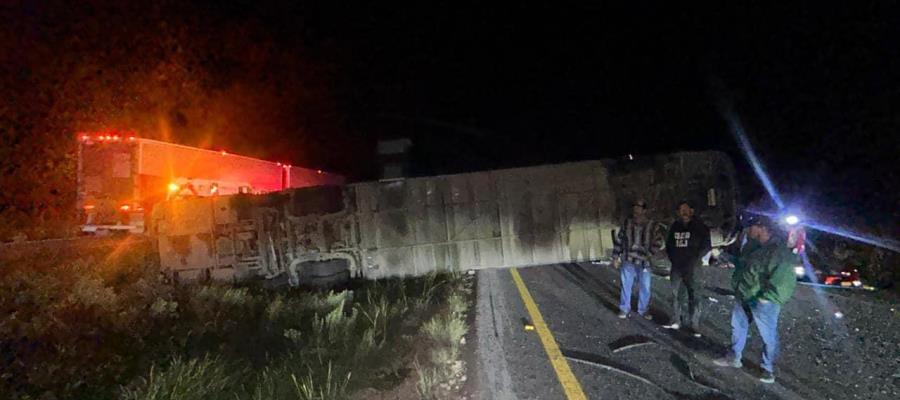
{"points": [[763, 280]]}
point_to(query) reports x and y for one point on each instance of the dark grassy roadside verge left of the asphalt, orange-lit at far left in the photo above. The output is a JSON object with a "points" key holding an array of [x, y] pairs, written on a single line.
{"points": [[109, 325]]}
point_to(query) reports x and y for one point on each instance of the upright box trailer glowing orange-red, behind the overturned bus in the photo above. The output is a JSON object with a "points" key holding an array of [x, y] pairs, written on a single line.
{"points": [[122, 176]]}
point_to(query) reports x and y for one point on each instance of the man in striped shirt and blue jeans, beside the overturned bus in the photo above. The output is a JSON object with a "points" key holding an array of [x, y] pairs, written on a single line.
{"points": [[631, 254]]}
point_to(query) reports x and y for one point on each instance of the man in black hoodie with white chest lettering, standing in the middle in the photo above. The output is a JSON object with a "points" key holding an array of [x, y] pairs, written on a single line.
{"points": [[688, 241]]}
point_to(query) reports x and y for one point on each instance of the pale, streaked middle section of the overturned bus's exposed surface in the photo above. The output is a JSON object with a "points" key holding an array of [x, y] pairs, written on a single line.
{"points": [[506, 218]]}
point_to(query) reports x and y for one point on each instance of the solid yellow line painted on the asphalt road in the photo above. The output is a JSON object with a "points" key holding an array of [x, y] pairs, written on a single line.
{"points": [[560, 365]]}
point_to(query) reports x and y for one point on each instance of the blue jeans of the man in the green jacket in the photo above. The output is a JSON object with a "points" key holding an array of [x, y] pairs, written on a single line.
{"points": [[765, 315]]}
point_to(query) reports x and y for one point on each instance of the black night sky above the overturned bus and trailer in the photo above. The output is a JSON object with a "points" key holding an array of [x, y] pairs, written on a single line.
{"points": [[479, 87]]}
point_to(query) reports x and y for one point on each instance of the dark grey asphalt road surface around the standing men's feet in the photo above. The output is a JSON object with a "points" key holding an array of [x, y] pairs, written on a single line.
{"points": [[823, 356]]}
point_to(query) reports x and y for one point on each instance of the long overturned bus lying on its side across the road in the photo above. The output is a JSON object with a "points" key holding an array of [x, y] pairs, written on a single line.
{"points": [[538, 215]]}
